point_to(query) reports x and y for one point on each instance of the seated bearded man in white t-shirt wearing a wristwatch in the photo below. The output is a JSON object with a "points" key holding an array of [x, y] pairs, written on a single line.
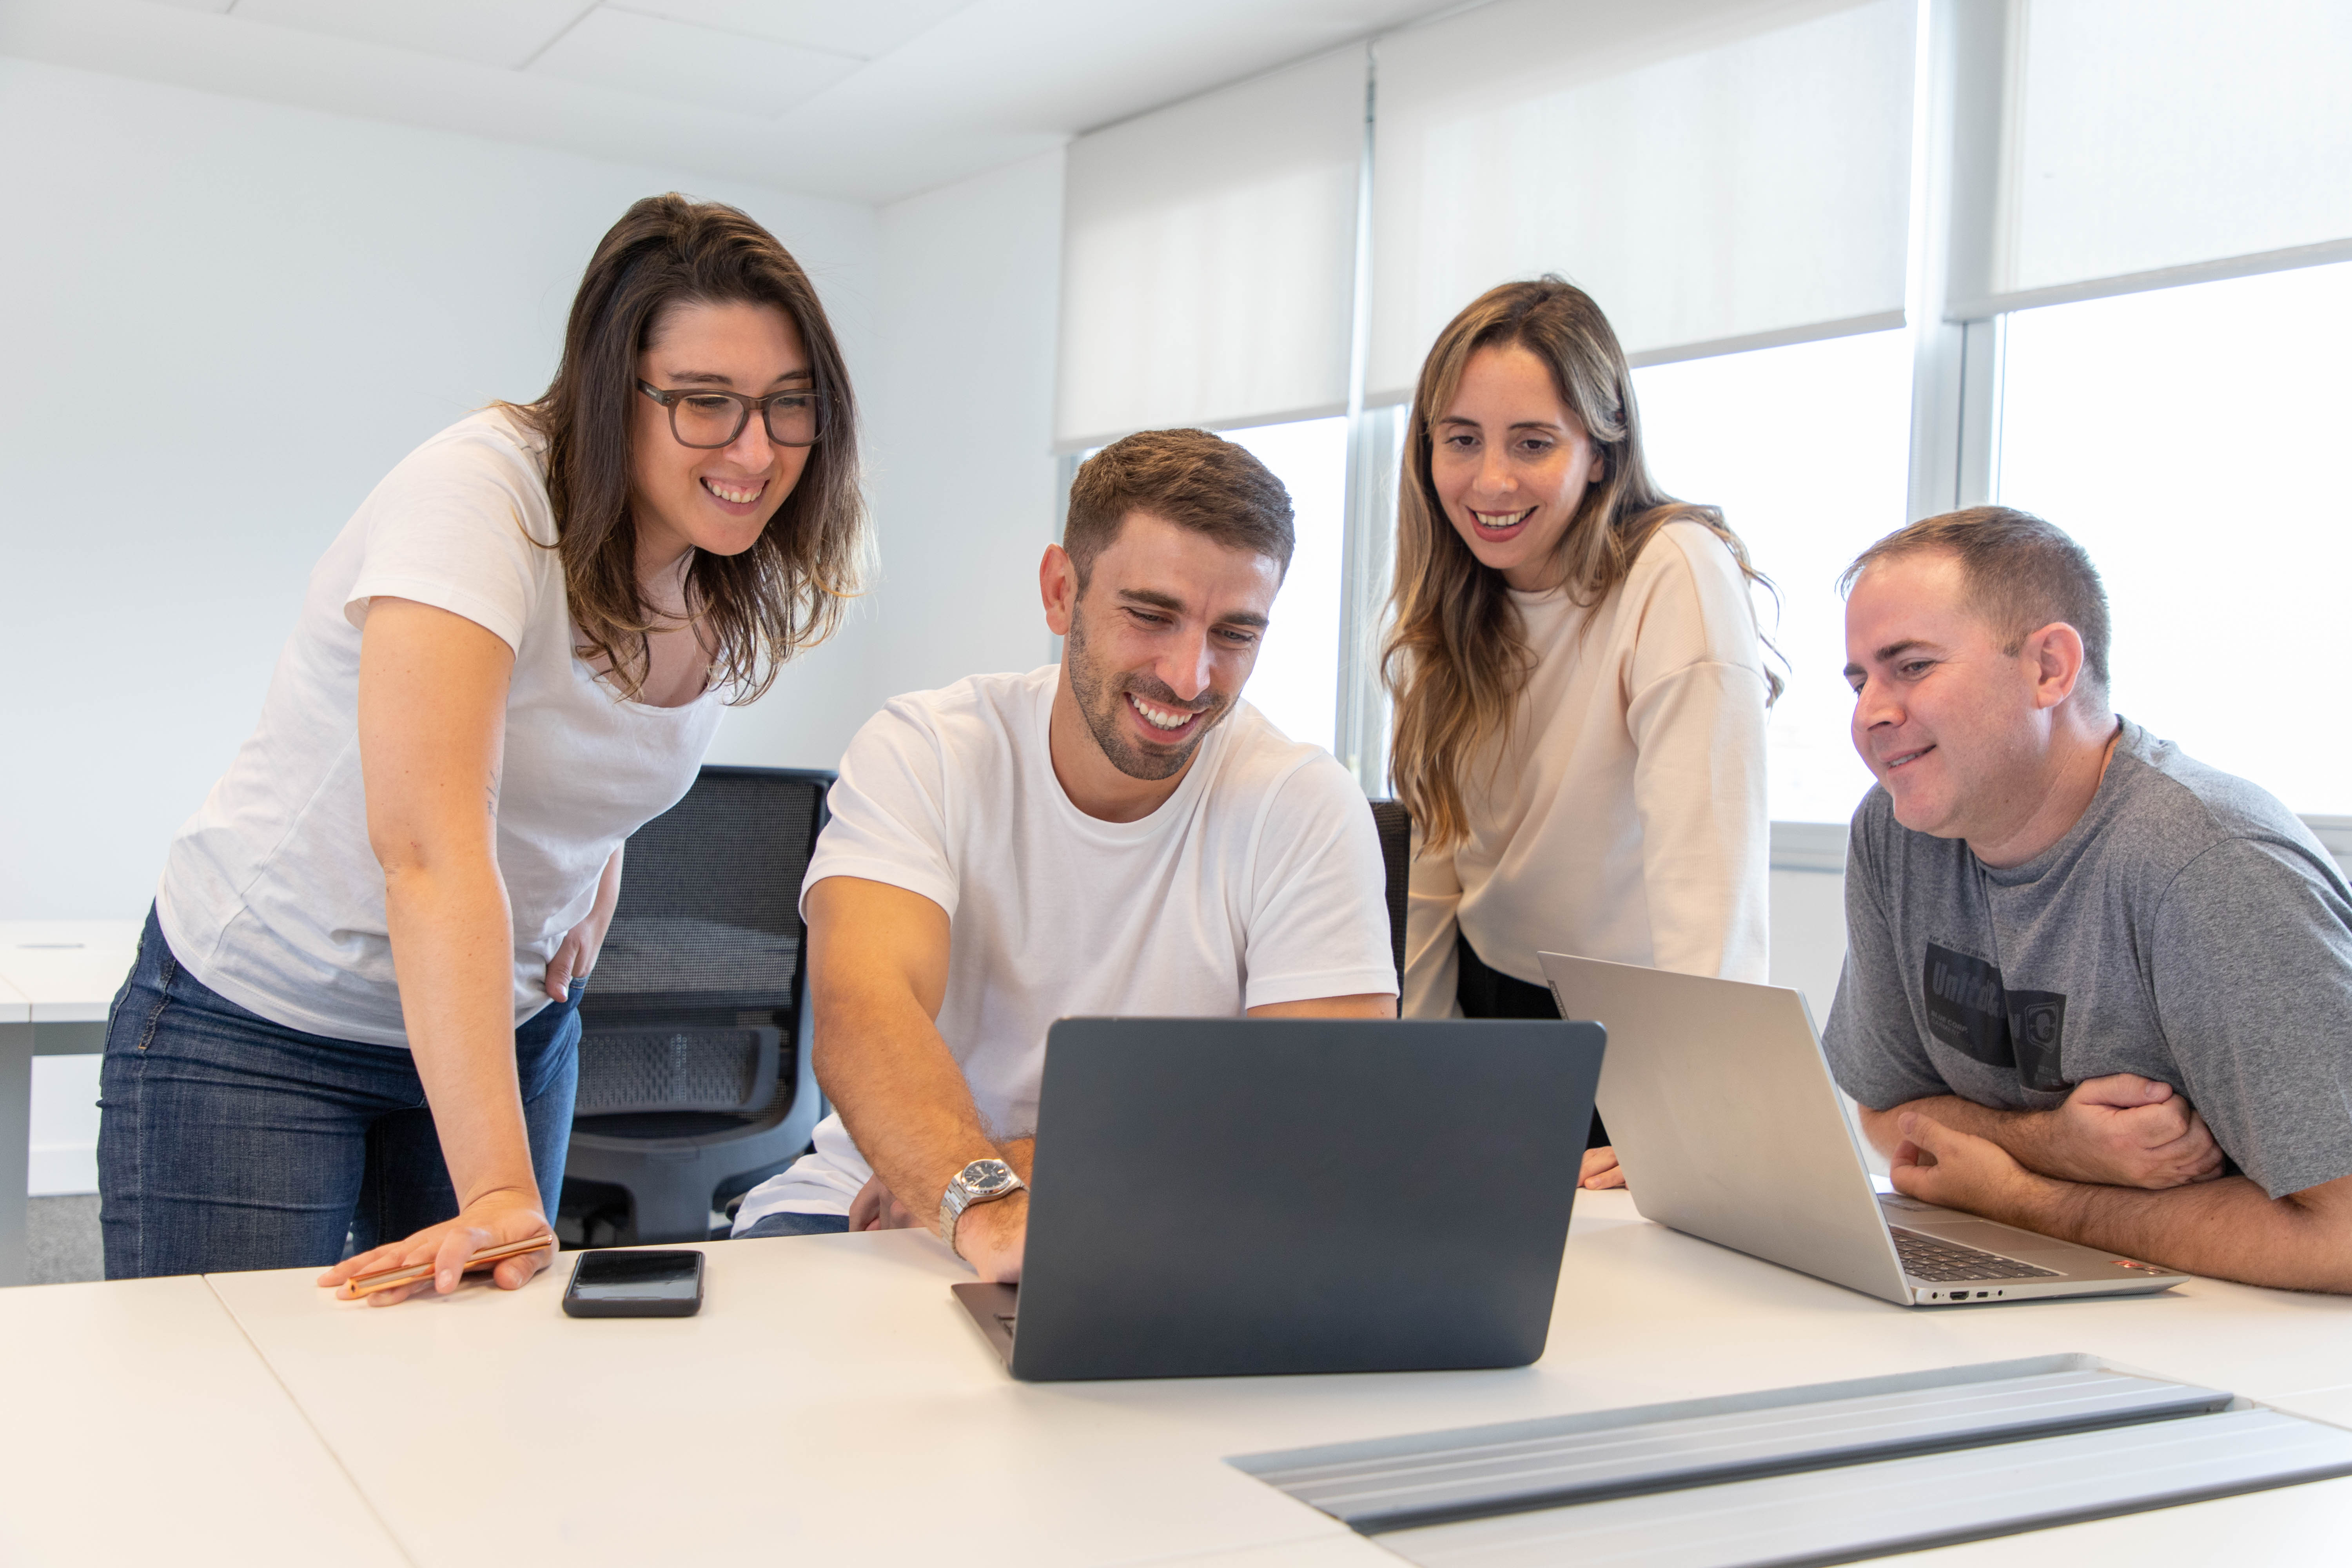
{"points": [[1111, 836]]}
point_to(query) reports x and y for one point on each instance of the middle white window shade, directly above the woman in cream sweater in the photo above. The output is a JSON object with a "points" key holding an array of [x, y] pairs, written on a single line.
{"points": [[1713, 175]]}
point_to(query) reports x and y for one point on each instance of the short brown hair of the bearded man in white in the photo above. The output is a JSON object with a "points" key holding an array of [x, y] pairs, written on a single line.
{"points": [[1189, 478]]}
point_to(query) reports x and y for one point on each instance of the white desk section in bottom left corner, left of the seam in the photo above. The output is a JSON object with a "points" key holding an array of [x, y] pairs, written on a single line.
{"points": [[142, 1428]]}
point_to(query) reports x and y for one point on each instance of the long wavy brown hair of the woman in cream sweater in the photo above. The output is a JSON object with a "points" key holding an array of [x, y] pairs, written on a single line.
{"points": [[1457, 657]]}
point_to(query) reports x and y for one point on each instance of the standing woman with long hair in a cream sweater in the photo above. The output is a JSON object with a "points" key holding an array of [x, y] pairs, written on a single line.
{"points": [[1577, 676]]}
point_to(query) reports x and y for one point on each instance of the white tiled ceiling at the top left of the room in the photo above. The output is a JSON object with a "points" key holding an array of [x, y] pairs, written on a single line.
{"points": [[987, 86]]}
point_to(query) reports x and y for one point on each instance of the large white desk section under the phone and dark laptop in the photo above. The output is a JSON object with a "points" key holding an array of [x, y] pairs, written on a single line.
{"points": [[834, 1405]]}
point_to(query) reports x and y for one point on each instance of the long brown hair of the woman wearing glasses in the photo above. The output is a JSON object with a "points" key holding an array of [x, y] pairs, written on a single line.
{"points": [[759, 608]]}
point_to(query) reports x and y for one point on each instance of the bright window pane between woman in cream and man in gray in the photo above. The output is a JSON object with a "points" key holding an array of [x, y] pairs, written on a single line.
{"points": [[1805, 450]]}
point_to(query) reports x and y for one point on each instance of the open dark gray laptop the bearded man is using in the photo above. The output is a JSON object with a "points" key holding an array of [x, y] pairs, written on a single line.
{"points": [[1283, 1195]]}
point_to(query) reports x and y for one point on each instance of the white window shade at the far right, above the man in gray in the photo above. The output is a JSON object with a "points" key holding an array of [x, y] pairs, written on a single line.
{"points": [[2158, 142]]}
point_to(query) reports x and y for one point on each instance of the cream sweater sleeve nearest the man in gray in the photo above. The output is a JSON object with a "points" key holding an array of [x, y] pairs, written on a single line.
{"points": [[1697, 716]]}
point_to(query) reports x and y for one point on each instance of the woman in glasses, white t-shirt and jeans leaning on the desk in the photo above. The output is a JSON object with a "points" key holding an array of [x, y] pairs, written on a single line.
{"points": [[356, 1000]]}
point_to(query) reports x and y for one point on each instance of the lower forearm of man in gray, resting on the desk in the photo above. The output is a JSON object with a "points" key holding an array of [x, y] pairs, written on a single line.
{"points": [[2224, 1228]]}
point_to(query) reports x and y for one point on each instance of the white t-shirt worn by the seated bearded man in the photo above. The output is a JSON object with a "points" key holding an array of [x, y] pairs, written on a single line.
{"points": [[1259, 880]]}
